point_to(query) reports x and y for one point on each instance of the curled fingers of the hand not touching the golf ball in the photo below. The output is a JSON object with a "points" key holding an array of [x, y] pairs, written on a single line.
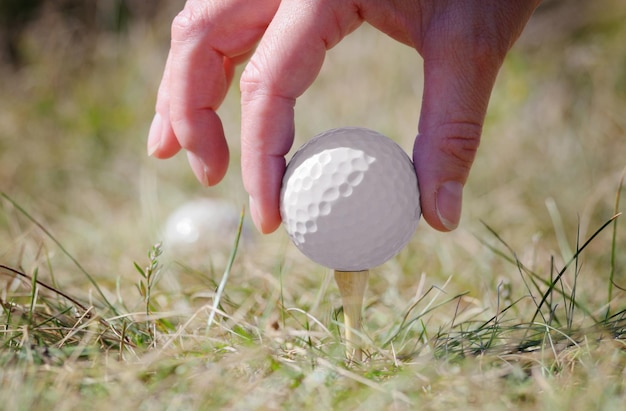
{"points": [[208, 38]]}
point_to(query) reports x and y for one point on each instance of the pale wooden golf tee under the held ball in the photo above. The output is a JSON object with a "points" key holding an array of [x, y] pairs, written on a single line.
{"points": [[352, 285]]}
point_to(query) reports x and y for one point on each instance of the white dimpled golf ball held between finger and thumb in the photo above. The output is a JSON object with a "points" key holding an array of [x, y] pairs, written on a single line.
{"points": [[350, 199]]}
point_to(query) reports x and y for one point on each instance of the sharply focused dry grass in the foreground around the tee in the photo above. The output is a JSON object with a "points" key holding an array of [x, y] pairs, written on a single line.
{"points": [[97, 350]]}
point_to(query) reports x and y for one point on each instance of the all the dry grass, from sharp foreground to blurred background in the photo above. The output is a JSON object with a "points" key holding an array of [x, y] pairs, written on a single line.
{"points": [[523, 307]]}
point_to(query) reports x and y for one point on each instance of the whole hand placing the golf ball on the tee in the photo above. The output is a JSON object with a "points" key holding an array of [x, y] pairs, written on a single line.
{"points": [[462, 42]]}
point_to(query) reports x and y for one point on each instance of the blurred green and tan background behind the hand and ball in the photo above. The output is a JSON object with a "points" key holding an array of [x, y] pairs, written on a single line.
{"points": [[78, 87]]}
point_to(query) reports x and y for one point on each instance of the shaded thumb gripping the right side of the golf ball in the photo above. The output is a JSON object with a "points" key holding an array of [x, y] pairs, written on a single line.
{"points": [[456, 95]]}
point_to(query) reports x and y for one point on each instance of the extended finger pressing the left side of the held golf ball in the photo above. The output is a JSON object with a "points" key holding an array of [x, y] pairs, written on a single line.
{"points": [[286, 62]]}
